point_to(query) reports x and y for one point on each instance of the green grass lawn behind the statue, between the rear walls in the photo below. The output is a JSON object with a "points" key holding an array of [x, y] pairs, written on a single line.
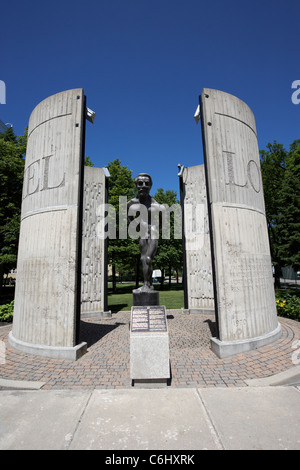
{"points": [[171, 298]]}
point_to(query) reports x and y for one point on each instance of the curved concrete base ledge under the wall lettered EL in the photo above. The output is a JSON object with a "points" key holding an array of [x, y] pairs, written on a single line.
{"points": [[54, 352]]}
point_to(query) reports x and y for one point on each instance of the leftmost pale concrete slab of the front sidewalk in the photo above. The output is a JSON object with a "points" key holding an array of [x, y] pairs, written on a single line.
{"points": [[44, 420]]}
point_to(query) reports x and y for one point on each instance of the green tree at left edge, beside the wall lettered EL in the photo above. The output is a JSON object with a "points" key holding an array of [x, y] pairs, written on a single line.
{"points": [[12, 151]]}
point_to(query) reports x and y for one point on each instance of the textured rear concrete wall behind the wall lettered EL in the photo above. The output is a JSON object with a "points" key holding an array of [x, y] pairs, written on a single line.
{"points": [[93, 276]]}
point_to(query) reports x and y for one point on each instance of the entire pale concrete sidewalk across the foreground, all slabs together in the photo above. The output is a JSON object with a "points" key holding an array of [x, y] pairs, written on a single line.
{"points": [[253, 417]]}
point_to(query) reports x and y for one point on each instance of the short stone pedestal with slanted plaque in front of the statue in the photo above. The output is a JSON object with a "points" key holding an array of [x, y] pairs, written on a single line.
{"points": [[149, 347]]}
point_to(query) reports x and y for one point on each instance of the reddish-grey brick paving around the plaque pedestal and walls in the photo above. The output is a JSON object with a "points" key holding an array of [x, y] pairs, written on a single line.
{"points": [[106, 364]]}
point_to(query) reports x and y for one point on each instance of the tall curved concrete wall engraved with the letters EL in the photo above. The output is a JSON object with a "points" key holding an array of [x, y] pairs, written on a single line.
{"points": [[47, 305]]}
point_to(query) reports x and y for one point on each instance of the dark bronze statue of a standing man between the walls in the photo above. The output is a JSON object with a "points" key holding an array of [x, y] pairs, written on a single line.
{"points": [[150, 212]]}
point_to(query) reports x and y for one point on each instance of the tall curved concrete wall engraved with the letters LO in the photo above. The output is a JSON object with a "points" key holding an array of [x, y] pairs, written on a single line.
{"points": [[245, 299]]}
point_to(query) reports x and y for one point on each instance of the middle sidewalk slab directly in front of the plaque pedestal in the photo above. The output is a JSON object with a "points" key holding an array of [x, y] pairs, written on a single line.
{"points": [[169, 419]]}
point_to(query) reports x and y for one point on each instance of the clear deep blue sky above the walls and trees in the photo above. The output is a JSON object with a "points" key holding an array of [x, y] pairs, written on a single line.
{"points": [[143, 64]]}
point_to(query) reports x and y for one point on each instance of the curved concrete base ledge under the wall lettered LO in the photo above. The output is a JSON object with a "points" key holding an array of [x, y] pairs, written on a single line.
{"points": [[228, 348]]}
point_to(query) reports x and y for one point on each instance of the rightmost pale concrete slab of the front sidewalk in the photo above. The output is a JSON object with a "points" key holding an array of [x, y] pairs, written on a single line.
{"points": [[262, 418]]}
